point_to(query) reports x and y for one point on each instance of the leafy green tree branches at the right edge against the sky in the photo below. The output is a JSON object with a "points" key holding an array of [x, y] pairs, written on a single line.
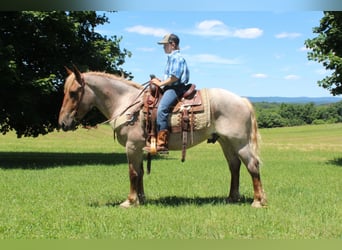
{"points": [[326, 48]]}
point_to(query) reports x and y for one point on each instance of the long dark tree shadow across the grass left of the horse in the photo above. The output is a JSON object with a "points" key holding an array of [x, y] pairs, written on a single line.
{"points": [[43, 160]]}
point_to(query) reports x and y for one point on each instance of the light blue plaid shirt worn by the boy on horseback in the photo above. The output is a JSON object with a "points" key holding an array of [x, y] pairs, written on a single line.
{"points": [[176, 66]]}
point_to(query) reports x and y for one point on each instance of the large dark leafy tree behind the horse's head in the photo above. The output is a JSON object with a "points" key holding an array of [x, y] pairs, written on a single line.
{"points": [[34, 48]]}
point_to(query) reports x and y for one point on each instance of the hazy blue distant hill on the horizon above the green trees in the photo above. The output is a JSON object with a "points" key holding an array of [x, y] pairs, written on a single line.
{"points": [[299, 100]]}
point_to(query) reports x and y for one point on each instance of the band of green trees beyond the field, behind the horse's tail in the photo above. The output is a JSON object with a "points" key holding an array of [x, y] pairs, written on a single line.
{"points": [[272, 115]]}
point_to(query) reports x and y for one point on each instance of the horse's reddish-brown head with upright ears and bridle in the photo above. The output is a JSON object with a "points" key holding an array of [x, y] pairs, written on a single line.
{"points": [[75, 106]]}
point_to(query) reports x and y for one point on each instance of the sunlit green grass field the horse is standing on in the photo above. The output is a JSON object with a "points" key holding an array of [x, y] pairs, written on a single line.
{"points": [[69, 185]]}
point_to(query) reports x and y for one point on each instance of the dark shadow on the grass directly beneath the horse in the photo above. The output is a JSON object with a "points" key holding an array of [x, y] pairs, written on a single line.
{"points": [[176, 201]]}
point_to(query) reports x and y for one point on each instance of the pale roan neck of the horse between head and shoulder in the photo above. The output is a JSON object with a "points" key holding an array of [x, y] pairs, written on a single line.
{"points": [[112, 96]]}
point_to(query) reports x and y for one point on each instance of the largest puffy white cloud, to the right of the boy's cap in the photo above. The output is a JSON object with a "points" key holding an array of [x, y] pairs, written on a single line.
{"points": [[219, 29]]}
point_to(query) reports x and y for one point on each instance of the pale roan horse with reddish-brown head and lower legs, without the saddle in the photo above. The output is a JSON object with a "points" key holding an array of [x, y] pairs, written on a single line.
{"points": [[233, 122]]}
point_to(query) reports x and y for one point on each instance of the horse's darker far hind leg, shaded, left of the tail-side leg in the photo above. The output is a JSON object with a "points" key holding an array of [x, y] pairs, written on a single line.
{"points": [[234, 164]]}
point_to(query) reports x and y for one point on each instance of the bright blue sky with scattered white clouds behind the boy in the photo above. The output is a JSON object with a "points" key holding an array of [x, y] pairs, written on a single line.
{"points": [[251, 53]]}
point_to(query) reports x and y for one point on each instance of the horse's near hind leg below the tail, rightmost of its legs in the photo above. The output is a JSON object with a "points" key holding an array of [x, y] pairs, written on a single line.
{"points": [[252, 164]]}
